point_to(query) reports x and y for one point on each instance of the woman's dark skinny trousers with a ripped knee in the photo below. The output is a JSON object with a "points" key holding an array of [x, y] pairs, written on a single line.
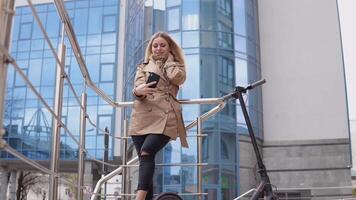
{"points": [[149, 144]]}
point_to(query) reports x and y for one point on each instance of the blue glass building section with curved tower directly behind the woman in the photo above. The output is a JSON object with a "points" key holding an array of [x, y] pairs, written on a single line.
{"points": [[221, 46]]}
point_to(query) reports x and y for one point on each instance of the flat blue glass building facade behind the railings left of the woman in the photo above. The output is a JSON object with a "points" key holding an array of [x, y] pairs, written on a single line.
{"points": [[28, 123]]}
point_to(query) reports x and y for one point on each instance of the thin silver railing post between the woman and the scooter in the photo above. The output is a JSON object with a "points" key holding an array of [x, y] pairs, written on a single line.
{"points": [[200, 158]]}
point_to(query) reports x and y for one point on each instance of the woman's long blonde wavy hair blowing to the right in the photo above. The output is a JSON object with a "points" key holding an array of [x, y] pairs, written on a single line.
{"points": [[176, 51]]}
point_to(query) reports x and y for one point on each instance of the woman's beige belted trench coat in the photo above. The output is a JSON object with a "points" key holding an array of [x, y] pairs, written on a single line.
{"points": [[160, 113]]}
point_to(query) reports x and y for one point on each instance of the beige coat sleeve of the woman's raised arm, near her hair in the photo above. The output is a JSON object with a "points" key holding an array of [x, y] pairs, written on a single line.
{"points": [[175, 73]]}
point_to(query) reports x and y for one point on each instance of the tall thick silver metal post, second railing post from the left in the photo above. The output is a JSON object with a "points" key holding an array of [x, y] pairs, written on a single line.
{"points": [[53, 190]]}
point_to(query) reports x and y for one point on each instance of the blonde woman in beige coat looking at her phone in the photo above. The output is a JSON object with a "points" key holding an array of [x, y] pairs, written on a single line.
{"points": [[157, 116]]}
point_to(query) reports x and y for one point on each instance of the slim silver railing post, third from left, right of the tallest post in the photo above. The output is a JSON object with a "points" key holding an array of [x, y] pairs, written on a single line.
{"points": [[82, 146]]}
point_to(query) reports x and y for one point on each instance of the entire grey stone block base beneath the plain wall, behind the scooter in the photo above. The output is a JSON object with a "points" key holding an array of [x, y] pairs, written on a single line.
{"points": [[310, 164]]}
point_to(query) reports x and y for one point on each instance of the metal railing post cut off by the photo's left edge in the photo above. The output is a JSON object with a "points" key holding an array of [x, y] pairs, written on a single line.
{"points": [[6, 15]]}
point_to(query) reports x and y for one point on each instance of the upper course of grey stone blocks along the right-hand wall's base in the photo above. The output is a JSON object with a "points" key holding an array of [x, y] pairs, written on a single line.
{"points": [[329, 154]]}
